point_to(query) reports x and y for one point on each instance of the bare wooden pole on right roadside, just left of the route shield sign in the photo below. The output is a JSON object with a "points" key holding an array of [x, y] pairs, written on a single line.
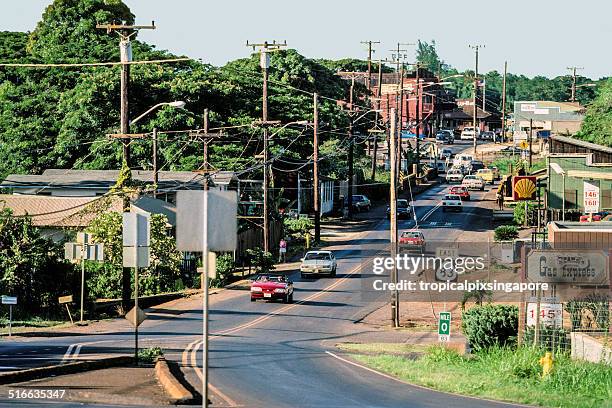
{"points": [[393, 219]]}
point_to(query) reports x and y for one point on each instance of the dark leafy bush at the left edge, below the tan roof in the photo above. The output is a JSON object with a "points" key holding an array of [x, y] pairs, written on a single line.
{"points": [[31, 266]]}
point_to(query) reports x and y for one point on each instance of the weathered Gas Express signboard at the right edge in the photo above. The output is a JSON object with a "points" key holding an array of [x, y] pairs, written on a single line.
{"points": [[577, 267]]}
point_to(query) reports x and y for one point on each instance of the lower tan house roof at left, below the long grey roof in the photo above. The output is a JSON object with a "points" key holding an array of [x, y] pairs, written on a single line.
{"points": [[66, 212]]}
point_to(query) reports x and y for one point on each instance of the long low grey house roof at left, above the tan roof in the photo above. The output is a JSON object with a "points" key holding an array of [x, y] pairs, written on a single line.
{"points": [[104, 179]]}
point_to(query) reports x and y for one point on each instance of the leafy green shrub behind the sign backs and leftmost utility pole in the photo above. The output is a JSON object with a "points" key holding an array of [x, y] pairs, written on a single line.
{"points": [[104, 279]]}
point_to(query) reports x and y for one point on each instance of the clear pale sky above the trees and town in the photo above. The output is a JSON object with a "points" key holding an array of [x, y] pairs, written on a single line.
{"points": [[536, 37]]}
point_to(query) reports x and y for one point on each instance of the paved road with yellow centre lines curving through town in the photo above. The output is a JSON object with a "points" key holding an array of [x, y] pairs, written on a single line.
{"points": [[270, 354]]}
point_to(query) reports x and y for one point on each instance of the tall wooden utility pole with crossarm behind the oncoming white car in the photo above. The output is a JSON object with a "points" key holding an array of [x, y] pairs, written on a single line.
{"points": [[264, 62]]}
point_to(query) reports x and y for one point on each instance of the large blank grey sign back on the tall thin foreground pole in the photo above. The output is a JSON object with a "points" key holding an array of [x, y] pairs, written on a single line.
{"points": [[221, 208]]}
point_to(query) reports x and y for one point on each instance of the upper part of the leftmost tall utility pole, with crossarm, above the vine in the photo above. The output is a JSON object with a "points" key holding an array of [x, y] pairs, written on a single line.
{"points": [[125, 32]]}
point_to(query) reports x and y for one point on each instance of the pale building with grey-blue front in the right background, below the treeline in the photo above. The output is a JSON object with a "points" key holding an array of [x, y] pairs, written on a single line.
{"points": [[555, 117]]}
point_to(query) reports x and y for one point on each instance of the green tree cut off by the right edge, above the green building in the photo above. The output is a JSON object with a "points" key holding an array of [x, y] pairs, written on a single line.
{"points": [[597, 125]]}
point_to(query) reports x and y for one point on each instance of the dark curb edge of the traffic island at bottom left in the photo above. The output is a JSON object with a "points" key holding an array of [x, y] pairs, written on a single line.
{"points": [[63, 369]]}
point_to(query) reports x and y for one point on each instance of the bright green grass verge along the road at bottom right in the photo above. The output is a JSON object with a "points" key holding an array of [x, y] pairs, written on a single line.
{"points": [[502, 374]]}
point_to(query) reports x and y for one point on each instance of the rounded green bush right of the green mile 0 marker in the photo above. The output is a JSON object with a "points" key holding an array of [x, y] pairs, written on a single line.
{"points": [[490, 325]]}
